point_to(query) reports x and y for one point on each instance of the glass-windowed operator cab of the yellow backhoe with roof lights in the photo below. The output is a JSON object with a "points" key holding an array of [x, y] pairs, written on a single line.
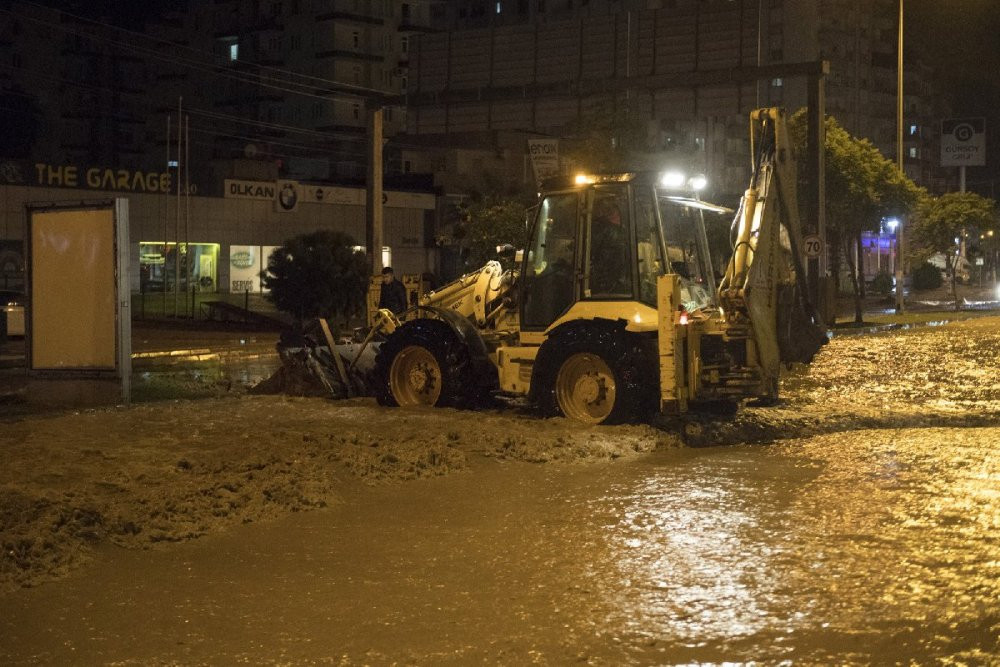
{"points": [[607, 239]]}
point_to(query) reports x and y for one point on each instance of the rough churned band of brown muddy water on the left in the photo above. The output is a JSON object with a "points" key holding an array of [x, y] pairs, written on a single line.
{"points": [[173, 471]]}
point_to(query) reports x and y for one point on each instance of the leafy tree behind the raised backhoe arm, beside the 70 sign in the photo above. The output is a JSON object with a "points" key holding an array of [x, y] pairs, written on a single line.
{"points": [[862, 188]]}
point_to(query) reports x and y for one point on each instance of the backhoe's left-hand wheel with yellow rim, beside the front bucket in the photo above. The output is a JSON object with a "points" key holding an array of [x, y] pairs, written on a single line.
{"points": [[424, 364]]}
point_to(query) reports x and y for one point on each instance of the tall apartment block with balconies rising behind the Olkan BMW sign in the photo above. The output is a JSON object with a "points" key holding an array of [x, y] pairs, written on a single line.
{"points": [[300, 70]]}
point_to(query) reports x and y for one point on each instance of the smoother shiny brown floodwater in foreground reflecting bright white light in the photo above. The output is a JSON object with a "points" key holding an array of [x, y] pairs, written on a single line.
{"points": [[874, 546]]}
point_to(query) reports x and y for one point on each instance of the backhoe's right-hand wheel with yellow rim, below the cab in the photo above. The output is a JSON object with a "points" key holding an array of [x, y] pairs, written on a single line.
{"points": [[597, 375]]}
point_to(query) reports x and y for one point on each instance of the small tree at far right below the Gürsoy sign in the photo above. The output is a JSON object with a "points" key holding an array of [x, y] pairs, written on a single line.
{"points": [[942, 221]]}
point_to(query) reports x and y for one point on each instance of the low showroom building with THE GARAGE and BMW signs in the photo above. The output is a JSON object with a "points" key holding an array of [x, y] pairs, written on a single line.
{"points": [[222, 242]]}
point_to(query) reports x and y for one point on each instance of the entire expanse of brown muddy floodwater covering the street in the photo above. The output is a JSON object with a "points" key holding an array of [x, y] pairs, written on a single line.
{"points": [[858, 522]]}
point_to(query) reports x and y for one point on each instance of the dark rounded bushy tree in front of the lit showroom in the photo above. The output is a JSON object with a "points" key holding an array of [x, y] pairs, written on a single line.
{"points": [[317, 275]]}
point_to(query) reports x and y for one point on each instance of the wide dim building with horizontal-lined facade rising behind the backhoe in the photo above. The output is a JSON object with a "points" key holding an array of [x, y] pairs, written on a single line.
{"points": [[682, 66]]}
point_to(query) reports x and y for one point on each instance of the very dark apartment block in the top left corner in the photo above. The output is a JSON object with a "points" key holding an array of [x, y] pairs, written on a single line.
{"points": [[72, 91]]}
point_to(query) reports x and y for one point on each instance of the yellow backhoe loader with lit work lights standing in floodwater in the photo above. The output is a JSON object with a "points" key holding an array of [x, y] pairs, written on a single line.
{"points": [[613, 311]]}
